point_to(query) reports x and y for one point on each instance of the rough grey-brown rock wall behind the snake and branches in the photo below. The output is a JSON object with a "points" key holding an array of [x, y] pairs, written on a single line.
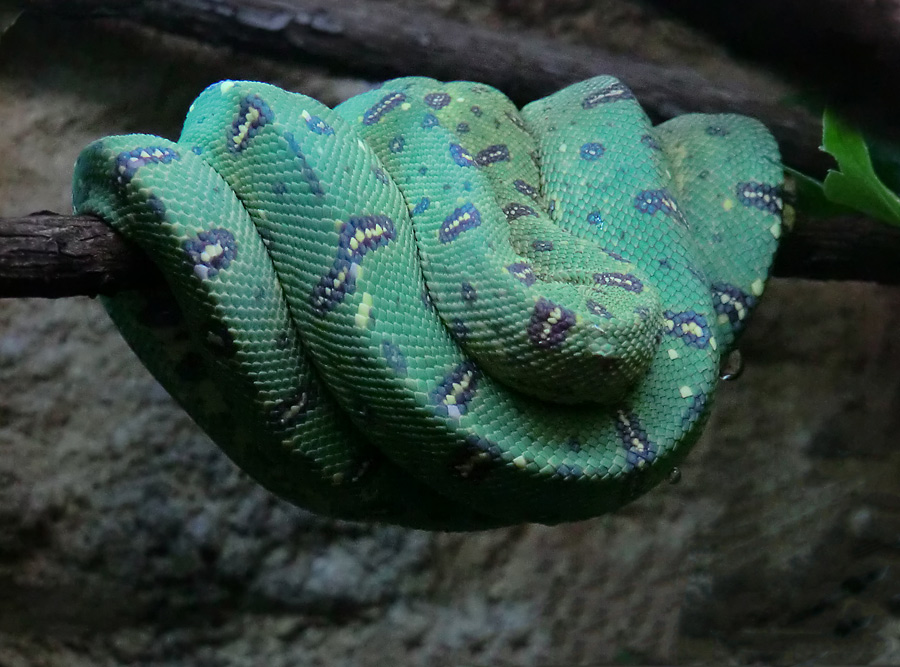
{"points": [[127, 538]]}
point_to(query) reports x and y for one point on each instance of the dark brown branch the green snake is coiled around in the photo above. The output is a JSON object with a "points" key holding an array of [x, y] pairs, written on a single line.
{"points": [[49, 255]]}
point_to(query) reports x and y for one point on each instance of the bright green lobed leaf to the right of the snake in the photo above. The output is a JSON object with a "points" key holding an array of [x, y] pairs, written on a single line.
{"points": [[856, 184]]}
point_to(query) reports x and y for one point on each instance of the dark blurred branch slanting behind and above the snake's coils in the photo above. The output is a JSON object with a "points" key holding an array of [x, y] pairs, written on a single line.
{"points": [[377, 40]]}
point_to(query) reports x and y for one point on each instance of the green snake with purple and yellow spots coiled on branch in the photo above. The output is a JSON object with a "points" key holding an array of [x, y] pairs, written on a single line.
{"points": [[429, 308]]}
